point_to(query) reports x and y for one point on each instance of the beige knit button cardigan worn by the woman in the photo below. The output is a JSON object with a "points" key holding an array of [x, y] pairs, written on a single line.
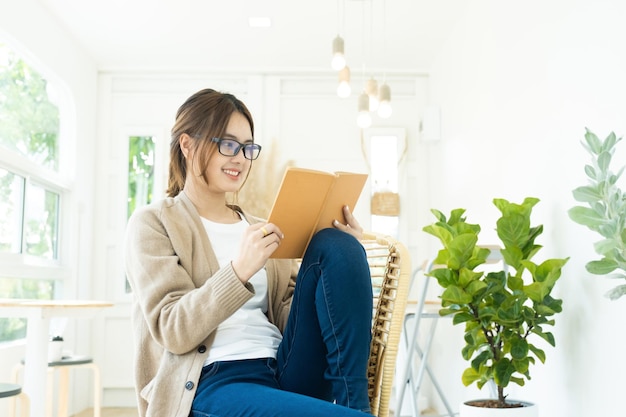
{"points": [[180, 296]]}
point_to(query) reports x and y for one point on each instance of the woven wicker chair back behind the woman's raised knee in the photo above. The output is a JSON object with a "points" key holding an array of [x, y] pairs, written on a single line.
{"points": [[390, 267]]}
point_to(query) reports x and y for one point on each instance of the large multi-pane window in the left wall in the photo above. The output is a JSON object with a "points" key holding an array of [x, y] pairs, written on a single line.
{"points": [[31, 190]]}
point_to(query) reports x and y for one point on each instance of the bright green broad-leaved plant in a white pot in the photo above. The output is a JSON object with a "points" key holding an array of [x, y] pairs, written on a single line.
{"points": [[502, 311]]}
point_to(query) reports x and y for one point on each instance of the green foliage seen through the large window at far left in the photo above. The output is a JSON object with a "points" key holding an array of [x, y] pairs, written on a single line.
{"points": [[29, 127]]}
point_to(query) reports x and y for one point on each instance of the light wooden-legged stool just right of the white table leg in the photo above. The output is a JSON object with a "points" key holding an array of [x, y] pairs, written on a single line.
{"points": [[63, 367]]}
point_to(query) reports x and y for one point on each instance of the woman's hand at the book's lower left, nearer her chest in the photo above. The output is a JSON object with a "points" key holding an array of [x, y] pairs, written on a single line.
{"points": [[259, 241]]}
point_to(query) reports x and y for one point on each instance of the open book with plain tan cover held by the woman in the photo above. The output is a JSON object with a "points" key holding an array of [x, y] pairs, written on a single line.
{"points": [[309, 201]]}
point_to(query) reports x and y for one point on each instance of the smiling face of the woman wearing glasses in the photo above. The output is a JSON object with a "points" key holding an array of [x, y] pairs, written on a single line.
{"points": [[227, 173]]}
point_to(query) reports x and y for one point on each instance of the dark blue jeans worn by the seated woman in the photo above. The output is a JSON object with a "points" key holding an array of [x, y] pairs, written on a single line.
{"points": [[321, 365]]}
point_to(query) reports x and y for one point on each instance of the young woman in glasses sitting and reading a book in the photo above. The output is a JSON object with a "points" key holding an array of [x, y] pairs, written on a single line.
{"points": [[220, 329]]}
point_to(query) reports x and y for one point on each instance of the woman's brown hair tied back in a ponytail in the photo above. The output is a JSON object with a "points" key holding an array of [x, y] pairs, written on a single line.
{"points": [[203, 116]]}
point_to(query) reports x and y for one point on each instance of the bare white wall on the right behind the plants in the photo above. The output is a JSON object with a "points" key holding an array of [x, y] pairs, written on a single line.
{"points": [[518, 82]]}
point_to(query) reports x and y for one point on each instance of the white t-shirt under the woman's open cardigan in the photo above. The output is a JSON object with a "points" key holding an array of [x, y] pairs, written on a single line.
{"points": [[247, 334]]}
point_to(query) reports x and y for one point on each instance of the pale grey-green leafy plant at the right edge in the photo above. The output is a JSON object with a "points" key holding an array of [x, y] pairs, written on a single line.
{"points": [[605, 212]]}
